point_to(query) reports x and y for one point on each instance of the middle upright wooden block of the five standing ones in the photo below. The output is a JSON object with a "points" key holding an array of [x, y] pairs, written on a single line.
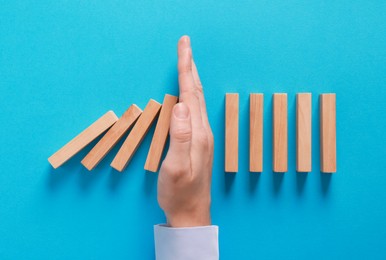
{"points": [[280, 128]]}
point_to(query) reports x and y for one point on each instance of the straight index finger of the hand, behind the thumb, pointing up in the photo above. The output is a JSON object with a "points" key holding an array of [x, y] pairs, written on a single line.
{"points": [[188, 91]]}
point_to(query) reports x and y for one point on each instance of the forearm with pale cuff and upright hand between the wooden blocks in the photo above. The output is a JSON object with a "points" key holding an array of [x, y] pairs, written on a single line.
{"points": [[184, 181]]}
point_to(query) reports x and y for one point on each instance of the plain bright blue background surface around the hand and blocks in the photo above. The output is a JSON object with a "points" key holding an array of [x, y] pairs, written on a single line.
{"points": [[65, 63]]}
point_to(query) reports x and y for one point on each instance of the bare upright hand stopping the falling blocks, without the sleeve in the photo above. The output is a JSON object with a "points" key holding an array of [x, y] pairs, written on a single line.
{"points": [[185, 176]]}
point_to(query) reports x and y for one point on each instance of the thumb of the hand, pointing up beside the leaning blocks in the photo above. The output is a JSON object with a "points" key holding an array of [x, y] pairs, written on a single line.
{"points": [[180, 133]]}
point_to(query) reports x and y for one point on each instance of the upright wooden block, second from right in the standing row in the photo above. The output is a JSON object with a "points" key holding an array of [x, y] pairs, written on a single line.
{"points": [[303, 132]]}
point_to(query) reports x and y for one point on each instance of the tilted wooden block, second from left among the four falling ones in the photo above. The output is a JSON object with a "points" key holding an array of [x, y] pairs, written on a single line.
{"points": [[111, 138]]}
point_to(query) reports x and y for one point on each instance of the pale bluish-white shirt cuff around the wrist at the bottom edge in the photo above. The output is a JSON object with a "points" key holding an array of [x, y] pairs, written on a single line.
{"points": [[186, 243]]}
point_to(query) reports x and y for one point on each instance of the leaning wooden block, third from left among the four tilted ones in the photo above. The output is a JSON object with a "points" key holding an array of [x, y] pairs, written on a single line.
{"points": [[136, 135]]}
